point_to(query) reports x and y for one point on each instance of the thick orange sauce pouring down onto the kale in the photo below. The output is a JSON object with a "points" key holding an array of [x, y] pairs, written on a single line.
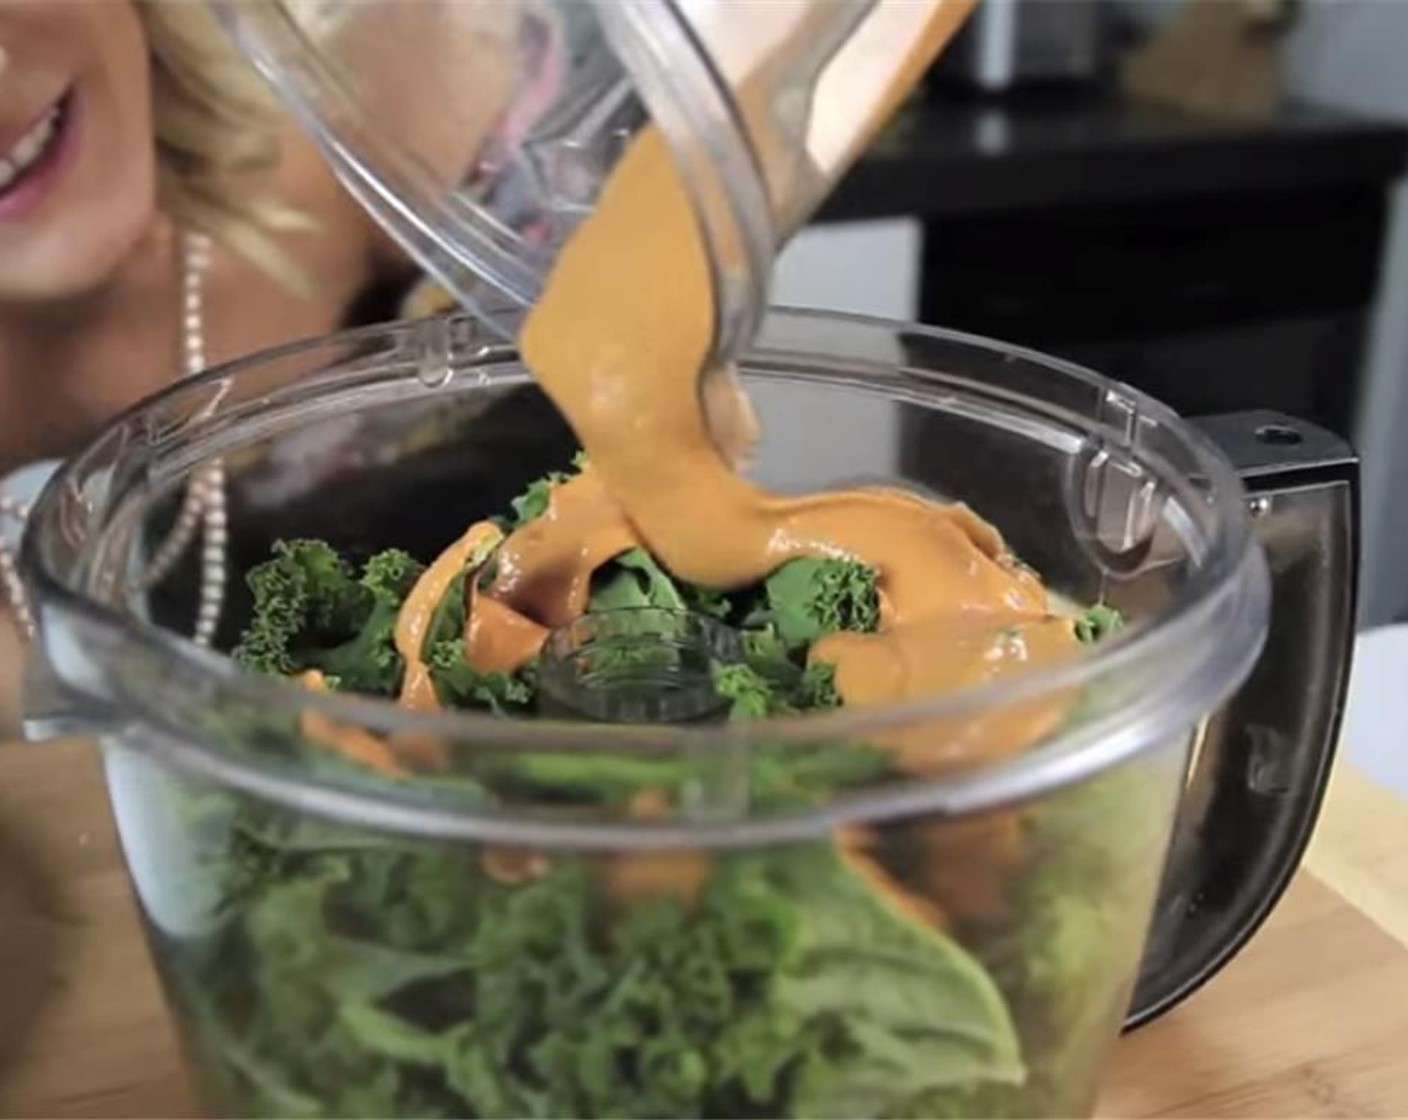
{"points": [[619, 343]]}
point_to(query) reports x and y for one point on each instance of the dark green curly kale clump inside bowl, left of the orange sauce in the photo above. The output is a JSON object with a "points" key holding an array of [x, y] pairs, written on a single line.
{"points": [[312, 614]]}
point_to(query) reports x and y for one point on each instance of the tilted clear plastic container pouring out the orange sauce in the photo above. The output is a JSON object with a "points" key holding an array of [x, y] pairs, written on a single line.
{"points": [[479, 135]]}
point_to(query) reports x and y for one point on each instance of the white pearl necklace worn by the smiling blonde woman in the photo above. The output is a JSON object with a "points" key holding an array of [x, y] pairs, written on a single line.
{"points": [[203, 509]]}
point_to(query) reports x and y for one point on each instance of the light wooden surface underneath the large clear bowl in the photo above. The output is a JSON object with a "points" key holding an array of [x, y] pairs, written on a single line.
{"points": [[1310, 1021]]}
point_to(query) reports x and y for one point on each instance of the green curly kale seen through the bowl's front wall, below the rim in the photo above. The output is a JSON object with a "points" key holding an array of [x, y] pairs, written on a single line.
{"points": [[401, 978]]}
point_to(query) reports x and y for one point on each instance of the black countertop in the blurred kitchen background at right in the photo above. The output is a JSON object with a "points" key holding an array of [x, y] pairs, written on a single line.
{"points": [[957, 156]]}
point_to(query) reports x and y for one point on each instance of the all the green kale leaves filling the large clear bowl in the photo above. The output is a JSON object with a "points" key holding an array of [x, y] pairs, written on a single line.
{"points": [[909, 969]]}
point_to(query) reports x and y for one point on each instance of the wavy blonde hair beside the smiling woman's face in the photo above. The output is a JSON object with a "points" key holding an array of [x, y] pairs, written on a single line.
{"points": [[218, 137]]}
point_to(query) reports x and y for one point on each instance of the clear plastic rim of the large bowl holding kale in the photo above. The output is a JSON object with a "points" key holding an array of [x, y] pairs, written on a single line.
{"points": [[1228, 595]]}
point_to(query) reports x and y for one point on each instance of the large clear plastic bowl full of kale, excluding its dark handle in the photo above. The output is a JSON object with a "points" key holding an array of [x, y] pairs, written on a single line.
{"points": [[738, 919]]}
